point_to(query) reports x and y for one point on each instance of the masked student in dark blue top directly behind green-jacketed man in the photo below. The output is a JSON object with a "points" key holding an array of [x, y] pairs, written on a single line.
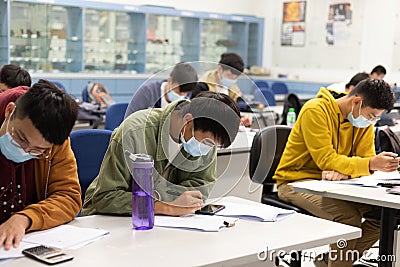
{"points": [[157, 94]]}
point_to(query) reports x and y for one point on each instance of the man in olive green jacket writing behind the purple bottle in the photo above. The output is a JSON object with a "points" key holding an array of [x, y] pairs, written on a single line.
{"points": [[182, 139]]}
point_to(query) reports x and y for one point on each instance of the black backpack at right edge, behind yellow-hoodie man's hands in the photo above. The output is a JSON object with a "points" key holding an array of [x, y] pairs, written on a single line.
{"points": [[386, 140]]}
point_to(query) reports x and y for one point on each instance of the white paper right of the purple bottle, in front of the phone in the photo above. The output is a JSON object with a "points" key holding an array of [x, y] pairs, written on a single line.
{"points": [[193, 222]]}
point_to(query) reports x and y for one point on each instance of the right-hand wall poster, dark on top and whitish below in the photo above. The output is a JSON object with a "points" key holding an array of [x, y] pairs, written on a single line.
{"points": [[338, 27]]}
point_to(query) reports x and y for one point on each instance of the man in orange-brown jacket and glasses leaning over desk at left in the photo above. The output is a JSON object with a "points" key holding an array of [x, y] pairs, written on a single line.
{"points": [[39, 186]]}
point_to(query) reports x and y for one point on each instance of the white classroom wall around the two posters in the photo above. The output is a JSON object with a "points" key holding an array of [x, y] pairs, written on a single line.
{"points": [[375, 37]]}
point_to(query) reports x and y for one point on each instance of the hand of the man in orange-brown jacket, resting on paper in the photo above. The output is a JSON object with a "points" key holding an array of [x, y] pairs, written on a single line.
{"points": [[13, 230]]}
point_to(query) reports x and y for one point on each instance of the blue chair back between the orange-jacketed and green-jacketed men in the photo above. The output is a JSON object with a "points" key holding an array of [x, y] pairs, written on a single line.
{"points": [[89, 147]]}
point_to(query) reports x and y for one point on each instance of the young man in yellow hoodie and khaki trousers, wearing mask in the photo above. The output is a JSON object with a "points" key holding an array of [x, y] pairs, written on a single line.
{"points": [[333, 139]]}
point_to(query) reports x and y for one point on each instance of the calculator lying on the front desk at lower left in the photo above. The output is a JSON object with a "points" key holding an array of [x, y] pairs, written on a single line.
{"points": [[46, 254]]}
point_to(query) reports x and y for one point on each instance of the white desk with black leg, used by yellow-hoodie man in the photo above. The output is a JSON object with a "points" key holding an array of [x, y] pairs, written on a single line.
{"points": [[374, 196]]}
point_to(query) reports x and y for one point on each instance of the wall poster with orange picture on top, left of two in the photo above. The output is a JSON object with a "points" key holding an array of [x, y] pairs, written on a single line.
{"points": [[293, 23]]}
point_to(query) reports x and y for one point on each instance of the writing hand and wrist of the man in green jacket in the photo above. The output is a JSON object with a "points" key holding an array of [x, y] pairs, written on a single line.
{"points": [[187, 203]]}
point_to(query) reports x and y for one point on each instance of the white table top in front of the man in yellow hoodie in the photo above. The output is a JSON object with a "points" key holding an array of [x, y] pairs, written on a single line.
{"points": [[368, 195]]}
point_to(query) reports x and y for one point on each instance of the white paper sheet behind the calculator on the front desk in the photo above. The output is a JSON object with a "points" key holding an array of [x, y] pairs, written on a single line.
{"points": [[65, 236]]}
